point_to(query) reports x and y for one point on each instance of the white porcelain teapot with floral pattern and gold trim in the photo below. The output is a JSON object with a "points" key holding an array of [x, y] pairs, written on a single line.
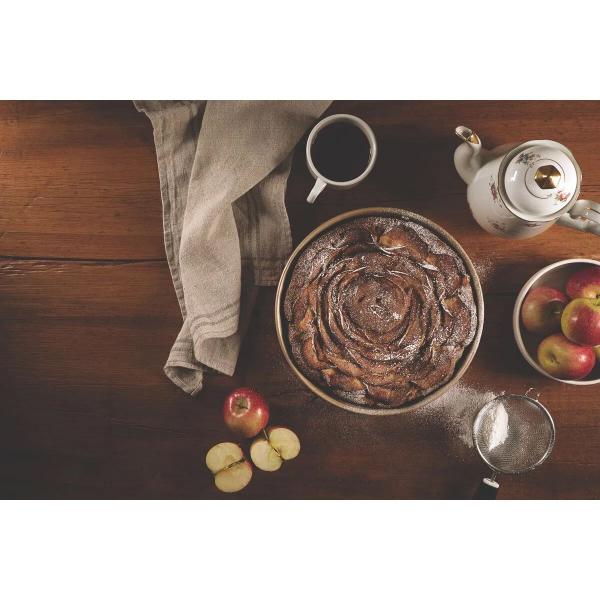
{"points": [[519, 190]]}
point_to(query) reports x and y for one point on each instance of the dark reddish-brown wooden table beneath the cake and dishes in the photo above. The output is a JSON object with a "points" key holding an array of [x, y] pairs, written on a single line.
{"points": [[88, 314]]}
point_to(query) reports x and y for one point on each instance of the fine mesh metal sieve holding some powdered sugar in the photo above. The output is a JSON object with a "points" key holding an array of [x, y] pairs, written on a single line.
{"points": [[513, 434]]}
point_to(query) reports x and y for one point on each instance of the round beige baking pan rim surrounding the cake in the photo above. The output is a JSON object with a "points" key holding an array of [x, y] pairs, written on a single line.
{"points": [[281, 323]]}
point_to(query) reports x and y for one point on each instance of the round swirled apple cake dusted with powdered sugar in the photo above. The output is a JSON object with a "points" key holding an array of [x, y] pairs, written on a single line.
{"points": [[379, 311]]}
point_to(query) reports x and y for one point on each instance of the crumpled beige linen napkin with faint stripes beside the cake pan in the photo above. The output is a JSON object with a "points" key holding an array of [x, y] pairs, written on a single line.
{"points": [[223, 170]]}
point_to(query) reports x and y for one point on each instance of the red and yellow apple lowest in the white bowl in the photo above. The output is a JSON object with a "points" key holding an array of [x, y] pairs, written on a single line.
{"points": [[563, 359]]}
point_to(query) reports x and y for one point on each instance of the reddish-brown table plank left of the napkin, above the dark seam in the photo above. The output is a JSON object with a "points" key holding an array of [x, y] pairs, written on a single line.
{"points": [[78, 180]]}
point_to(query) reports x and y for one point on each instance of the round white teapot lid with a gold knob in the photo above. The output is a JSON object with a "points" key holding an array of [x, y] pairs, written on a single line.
{"points": [[541, 180]]}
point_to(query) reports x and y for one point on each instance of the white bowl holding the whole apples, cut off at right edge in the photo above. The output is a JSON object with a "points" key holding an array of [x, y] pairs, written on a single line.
{"points": [[556, 276]]}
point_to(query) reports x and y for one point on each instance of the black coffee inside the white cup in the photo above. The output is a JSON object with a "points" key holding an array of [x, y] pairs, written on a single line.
{"points": [[341, 151]]}
